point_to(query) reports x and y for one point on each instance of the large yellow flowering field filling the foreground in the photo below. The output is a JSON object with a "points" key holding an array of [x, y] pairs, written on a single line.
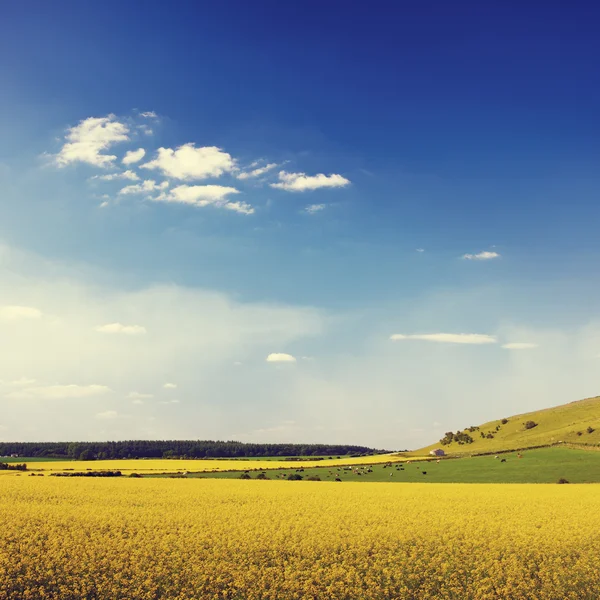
{"points": [[228, 539]]}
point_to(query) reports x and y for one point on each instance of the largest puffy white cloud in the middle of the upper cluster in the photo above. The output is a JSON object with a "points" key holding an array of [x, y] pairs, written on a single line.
{"points": [[188, 162]]}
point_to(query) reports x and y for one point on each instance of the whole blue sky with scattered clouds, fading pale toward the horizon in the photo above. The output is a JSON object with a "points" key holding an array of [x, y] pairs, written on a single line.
{"points": [[330, 176]]}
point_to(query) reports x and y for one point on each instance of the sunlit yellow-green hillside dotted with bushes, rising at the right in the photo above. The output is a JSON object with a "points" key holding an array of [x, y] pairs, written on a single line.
{"points": [[567, 423]]}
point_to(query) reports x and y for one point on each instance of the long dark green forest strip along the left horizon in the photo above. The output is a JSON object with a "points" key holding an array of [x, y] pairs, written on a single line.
{"points": [[174, 449]]}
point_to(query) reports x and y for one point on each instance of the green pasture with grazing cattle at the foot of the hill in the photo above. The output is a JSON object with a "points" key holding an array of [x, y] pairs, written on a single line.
{"points": [[546, 465]]}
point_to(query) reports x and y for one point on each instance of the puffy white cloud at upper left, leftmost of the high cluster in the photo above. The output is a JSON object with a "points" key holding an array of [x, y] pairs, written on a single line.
{"points": [[86, 141]]}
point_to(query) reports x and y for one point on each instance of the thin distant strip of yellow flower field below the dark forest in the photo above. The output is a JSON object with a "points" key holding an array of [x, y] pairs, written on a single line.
{"points": [[205, 465]]}
